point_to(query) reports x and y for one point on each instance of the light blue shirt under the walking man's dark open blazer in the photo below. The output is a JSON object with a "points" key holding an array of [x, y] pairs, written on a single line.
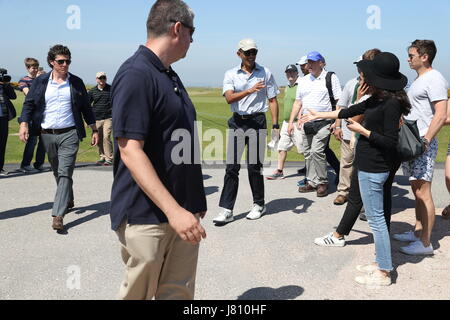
{"points": [[58, 105]]}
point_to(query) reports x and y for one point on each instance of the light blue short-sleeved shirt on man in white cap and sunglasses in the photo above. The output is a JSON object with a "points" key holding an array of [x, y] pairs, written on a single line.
{"points": [[238, 80]]}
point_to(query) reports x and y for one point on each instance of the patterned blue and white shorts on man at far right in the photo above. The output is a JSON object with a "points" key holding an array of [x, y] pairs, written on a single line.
{"points": [[422, 168]]}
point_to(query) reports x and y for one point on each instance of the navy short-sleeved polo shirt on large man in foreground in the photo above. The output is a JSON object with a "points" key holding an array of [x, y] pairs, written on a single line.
{"points": [[150, 104]]}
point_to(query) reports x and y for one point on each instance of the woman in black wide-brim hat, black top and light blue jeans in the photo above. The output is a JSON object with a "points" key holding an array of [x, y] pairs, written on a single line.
{"points": [[375, 151]]}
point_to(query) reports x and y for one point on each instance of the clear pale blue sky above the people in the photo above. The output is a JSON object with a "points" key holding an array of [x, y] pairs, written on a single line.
{"points": [[284, 30]]}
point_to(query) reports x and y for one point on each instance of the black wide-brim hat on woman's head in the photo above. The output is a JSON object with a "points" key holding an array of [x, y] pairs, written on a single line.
{"points": [[383, 72]]}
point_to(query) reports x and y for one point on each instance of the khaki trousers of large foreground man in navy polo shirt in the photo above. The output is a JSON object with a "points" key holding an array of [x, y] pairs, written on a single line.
{"points": [[158, 263]]}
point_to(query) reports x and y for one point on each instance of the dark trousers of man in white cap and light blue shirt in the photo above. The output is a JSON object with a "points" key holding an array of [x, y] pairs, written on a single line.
{"points": [[250, 133]]}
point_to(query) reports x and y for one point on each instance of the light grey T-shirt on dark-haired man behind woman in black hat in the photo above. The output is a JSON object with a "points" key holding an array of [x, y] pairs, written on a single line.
{"points": [[428, 88]]}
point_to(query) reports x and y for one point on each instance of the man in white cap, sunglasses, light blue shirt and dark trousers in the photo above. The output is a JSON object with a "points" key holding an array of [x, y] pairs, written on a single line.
{"points": [[247, 88]]}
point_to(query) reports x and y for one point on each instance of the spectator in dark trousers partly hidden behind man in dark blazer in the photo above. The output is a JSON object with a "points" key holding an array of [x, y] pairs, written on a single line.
{"points": [[32, 66]]}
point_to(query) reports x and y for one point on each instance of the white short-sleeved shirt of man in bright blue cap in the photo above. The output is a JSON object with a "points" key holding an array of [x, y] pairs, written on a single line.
{"points": [[313, 92]]}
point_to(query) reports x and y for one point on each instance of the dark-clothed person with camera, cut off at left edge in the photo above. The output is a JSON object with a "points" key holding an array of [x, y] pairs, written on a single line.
{"points": [[7, 112]]}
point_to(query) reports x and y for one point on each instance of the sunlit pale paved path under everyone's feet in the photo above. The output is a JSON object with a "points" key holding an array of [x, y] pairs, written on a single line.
{"points": [[271, 258]]}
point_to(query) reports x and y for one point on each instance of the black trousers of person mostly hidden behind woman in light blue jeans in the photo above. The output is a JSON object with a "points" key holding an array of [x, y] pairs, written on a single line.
{"points": [[355, 204]]}
